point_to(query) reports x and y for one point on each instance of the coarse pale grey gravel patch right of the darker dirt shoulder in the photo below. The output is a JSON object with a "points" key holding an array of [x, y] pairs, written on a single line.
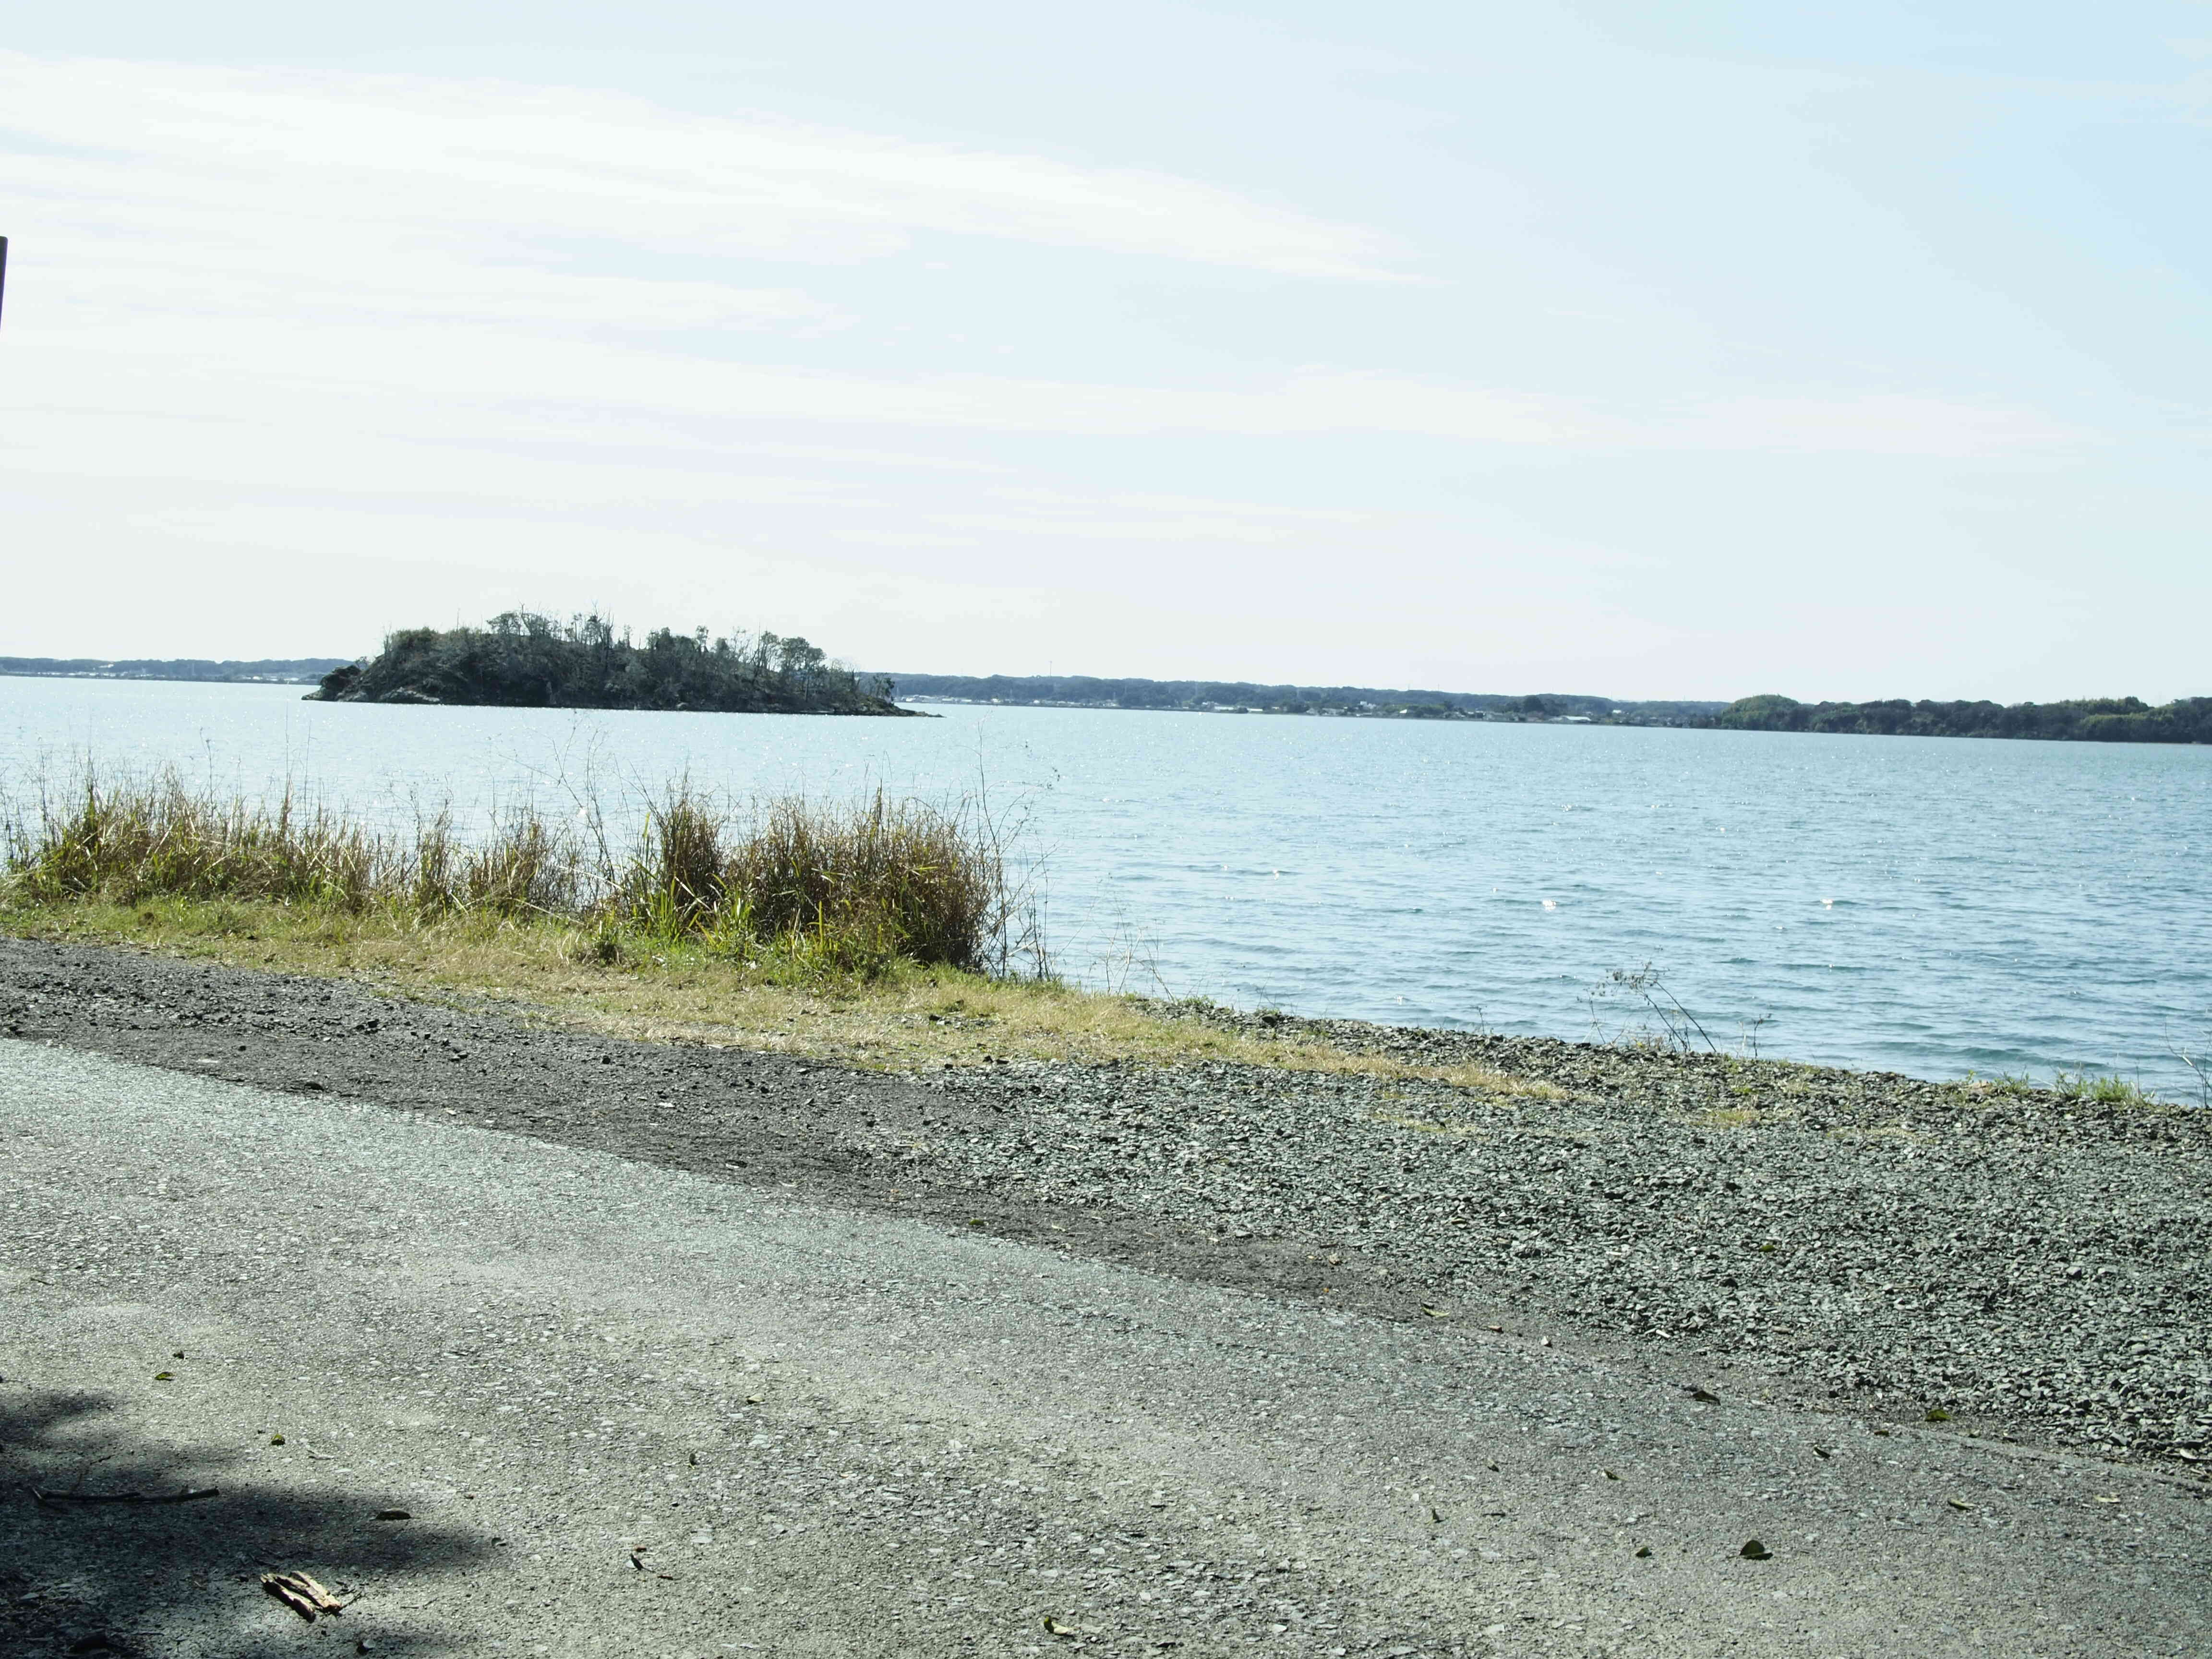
{"points": [[2018, 1262]]}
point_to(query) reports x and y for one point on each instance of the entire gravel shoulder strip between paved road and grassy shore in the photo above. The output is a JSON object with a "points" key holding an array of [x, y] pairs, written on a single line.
{"points": [[2027, 1269]]}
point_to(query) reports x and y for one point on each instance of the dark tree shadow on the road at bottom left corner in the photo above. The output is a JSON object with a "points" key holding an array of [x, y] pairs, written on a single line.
{"points": [[185, 1578]]}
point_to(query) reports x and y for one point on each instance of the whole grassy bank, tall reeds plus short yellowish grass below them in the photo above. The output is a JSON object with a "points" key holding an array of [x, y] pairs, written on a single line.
{"points": [[888, 935]]}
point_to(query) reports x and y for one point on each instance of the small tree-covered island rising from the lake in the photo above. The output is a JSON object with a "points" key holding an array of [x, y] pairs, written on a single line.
{"points": [[525, 660]]}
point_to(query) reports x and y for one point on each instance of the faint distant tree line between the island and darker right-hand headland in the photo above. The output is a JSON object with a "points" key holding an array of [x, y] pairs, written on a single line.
{"points": [[1087, 691]]}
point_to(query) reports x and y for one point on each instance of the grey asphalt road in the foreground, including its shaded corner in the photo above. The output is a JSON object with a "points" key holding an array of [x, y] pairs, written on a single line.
{"points": [[643, 1412]]}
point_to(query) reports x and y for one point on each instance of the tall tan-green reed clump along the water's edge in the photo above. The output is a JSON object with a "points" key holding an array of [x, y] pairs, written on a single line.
{"points": [[820, 888]]}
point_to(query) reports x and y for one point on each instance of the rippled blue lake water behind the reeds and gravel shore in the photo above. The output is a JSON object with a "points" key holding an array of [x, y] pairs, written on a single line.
{"points": [[1926, 906]]}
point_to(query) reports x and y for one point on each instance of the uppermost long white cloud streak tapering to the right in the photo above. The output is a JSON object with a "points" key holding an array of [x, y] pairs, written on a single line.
{"points": [[258, 160]]}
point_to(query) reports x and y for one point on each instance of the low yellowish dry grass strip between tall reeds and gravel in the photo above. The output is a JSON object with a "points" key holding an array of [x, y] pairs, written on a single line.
{"points": [[658, 990]]}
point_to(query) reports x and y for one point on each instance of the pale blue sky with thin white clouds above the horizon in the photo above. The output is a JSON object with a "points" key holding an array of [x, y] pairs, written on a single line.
{"points": [[1698, 351]]}
